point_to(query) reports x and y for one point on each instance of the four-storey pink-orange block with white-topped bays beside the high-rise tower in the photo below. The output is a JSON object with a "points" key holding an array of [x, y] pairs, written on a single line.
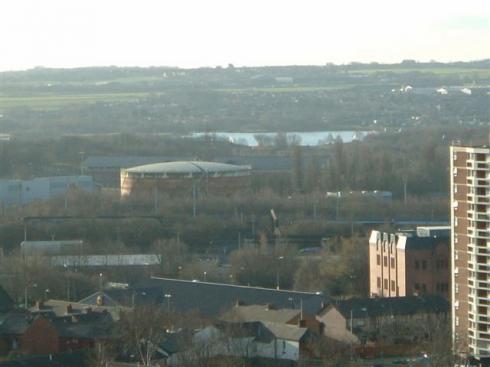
{"points": [[409, 263]]}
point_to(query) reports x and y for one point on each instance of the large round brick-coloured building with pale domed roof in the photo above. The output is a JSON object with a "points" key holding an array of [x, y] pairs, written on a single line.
{"points": [[184, 177]]}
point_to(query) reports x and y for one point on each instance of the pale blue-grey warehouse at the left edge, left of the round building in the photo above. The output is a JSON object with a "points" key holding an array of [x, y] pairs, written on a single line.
{"points": [[19, 192]]}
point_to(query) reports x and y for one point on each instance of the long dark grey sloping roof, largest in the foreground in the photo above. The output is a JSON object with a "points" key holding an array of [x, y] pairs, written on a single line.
{"points": [[209, 299]]}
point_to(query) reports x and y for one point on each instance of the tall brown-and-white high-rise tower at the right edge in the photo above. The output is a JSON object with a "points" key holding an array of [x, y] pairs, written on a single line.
{"points": [[470, 250]]}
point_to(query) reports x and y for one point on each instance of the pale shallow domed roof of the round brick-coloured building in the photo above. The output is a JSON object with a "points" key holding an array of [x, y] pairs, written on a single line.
{"points": [[187, 167]]}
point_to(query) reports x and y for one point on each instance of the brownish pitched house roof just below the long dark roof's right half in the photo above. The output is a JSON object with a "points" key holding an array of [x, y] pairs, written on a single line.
{"points": [[260, 313]]}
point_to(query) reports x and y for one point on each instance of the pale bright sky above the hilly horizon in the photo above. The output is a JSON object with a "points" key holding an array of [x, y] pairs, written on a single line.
{"points": [[195, 33]]}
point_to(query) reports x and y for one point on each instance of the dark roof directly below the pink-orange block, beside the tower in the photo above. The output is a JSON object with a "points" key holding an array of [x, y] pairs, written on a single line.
{"points": [[377, 307]]}
